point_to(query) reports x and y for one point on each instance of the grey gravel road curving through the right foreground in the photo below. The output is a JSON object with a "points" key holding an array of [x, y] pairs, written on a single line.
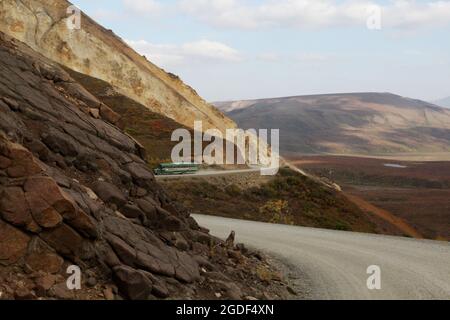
{"points": [[335, 262]]}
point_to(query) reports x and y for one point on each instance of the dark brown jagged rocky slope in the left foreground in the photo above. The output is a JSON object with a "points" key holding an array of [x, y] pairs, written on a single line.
{"points": [[75, 190]]}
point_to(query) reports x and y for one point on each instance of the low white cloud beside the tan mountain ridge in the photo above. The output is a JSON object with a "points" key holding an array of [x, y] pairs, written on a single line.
{"points": [[171, 55]]}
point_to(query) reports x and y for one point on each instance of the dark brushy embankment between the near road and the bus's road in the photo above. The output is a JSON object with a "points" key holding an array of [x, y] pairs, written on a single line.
{"points": [[287, 198]]}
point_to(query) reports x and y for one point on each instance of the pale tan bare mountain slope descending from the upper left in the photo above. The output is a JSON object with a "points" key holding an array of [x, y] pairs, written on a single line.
{"points": [[97, 52]]}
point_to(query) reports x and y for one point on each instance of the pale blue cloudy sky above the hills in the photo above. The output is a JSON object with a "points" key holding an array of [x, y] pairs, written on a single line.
{"points": [[245, 49]]}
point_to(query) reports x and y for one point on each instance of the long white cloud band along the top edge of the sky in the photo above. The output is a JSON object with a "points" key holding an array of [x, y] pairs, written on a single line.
{"points": [[315, 13]]}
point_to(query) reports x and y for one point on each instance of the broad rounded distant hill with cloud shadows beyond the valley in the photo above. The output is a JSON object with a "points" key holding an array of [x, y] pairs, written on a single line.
{"points": [[360, 123]]}
